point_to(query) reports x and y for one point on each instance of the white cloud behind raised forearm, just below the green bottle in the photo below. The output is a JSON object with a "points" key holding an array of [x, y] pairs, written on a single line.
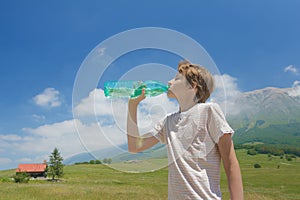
{"points": [[97, 105]]}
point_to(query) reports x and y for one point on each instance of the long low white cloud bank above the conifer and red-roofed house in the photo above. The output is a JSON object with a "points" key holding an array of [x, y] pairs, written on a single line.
{"points": [[36, 144]]}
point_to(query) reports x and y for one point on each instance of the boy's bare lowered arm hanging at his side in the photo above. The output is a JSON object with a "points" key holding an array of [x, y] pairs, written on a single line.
{"points": [[231, 167]]}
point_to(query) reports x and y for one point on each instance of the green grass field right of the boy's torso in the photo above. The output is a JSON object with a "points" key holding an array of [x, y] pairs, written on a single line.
{"points": [[269, 181]]}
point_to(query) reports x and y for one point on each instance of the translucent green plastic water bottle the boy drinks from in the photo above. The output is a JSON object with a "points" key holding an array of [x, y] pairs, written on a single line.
{"points": [[132, 89]]}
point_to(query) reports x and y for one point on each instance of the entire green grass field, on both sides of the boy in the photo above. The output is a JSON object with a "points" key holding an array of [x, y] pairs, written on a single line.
{"points": [[102, 182]]}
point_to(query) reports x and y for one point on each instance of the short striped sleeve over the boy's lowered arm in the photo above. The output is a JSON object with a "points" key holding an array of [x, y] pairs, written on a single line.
{"points": [[217, 124]]}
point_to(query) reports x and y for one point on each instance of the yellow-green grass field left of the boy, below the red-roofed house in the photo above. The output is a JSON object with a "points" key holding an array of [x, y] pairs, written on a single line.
{"points": [[89, 182]]}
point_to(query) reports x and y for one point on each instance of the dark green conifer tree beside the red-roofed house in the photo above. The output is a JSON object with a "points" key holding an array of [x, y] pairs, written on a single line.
{"points": [[55, 167]]}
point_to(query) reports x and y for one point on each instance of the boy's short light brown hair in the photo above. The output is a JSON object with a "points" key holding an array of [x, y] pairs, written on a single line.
{"points": [[198, 77]]}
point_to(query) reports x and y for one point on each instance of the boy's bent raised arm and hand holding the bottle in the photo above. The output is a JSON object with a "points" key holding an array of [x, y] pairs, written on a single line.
{"points": [[137, 143]]}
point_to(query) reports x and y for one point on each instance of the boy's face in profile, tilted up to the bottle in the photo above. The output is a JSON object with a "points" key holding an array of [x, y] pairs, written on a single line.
{"points": [[179, 86]]}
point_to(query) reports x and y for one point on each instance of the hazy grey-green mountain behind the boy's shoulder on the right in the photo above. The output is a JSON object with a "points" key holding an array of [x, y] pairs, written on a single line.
{"points": [[269, 115]]}
